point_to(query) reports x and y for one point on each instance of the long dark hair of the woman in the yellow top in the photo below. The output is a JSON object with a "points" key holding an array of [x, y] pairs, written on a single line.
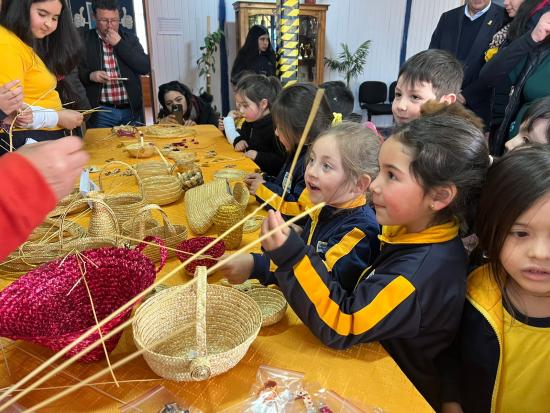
{"points": [[60, 50]]}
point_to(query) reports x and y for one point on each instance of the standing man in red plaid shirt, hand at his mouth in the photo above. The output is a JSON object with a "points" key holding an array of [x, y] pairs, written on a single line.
{"points": [[110, 71]]}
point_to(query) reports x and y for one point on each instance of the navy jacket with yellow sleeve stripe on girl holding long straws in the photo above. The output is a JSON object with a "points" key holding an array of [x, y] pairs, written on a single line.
{"points": [[410, 299]]}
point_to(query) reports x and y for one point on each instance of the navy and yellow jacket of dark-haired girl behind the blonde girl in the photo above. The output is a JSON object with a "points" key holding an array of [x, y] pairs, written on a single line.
{"points": [[296, 199]]}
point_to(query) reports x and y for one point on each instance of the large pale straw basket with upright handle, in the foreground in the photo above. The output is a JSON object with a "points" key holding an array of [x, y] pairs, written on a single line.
{"points": [[196, 331]]}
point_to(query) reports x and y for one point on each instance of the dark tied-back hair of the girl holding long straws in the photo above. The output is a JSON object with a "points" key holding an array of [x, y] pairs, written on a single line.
{"points": [[447, 149]]}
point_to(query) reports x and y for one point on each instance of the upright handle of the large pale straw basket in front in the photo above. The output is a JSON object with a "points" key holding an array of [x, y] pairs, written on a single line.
{"points": [[200, 366]]}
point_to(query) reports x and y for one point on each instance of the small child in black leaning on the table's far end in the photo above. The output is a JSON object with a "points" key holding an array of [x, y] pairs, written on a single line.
{"points": [[254, 96]]}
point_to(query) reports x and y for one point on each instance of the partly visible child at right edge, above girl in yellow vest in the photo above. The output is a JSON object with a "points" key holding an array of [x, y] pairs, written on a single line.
{"points": [[536, 125]]}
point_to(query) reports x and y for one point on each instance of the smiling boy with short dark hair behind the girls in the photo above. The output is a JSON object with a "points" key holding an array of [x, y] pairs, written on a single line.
{"points": [[429, 75]]}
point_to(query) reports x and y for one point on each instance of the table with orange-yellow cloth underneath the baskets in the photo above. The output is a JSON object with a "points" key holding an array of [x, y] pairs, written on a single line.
{"points": [[364, 373]]}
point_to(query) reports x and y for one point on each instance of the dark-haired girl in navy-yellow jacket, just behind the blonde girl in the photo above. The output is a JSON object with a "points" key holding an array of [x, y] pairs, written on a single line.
{"points": [[290, 112]]}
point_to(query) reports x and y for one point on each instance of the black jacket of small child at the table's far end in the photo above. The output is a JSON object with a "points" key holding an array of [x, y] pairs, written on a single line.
{"points": [[260, 136]]}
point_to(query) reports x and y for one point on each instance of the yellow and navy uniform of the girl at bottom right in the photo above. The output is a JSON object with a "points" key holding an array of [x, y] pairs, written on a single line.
{"points": [[498, 363]]}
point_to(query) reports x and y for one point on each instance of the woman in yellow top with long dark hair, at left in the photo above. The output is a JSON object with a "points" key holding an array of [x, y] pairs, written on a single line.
{"points": [[34, 54]]}
